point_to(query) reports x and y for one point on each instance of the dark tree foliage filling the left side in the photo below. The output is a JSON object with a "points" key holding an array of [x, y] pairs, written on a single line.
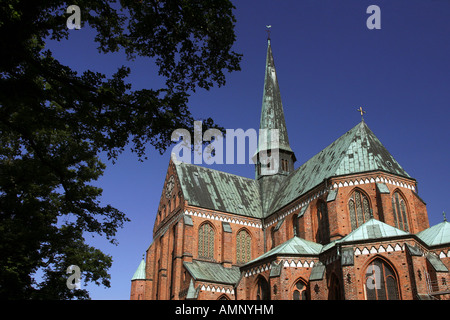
{"points": [[54, 124]]}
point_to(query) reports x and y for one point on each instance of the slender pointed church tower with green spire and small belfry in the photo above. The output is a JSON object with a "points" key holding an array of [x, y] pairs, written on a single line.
{"points": [[274, 156]]}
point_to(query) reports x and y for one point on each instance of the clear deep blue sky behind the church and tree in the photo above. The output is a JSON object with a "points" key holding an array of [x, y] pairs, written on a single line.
{"points": [[328, 64]]}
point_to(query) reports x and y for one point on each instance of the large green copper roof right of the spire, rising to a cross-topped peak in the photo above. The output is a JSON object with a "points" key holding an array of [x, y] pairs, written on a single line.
{"points": [[358, 150]]}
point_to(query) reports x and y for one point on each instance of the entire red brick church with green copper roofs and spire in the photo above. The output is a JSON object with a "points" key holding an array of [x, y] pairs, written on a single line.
{"points": [[347, 224]]}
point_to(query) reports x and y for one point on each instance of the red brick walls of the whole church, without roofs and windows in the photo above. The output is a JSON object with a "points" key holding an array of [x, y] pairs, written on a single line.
{"points": [[176, 242]]}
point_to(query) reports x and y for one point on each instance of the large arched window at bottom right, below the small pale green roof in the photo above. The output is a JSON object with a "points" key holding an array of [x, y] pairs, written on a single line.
{"points": [[380, 281]]}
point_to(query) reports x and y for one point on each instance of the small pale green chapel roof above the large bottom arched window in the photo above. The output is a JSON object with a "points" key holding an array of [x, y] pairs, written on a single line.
{"points": [[373, 229]]}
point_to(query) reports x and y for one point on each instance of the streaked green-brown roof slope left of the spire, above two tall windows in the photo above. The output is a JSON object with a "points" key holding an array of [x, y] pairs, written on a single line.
{"points": [[217, 190]]}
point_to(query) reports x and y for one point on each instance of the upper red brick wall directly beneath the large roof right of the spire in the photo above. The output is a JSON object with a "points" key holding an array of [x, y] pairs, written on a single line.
{"points": [[338, 212]]}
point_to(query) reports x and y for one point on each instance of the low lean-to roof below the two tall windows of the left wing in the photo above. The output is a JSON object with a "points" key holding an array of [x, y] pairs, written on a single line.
{"points": [[212, 272]]}
